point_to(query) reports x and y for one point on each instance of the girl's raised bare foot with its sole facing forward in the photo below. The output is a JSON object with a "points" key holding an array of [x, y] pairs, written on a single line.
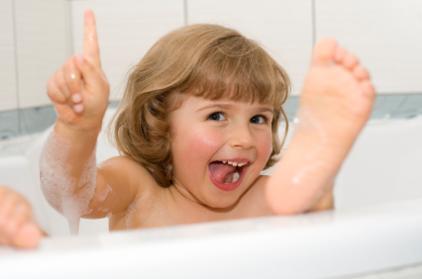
{"points": [[335, 104]]}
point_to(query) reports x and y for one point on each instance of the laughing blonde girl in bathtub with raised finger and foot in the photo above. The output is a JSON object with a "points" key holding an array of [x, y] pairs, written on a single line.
{"points": [[196, 127]]}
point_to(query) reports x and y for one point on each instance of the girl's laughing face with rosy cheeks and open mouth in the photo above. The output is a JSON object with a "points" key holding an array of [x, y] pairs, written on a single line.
{"points": [[219, 148]]}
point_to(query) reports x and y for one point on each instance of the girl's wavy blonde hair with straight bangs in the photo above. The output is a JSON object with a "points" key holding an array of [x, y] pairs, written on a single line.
{"points": [[204, 60]]}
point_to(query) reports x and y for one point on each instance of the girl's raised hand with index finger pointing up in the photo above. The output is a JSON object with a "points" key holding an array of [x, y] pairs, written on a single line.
{"points": [[79, 89]]}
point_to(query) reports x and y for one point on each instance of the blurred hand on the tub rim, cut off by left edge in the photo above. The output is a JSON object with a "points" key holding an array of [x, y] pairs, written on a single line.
{"points": [[17, 226]]}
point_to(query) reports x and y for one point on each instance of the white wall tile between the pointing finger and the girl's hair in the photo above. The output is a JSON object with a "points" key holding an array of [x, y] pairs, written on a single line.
{"points": [[127, 29]]}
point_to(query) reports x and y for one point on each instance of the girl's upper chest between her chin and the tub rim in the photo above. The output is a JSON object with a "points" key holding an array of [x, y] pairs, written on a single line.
{"points": [[156, 206]]}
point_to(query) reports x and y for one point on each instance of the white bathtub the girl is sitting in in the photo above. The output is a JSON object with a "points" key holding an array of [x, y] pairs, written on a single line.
{"points": [[375, 232]]}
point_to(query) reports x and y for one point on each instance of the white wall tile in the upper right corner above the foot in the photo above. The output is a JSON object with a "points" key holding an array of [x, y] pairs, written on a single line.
{"points": [[385, 34]]}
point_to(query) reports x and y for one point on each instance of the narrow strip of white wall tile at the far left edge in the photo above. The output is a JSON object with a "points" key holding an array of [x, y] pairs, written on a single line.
{"points": [[7, 58]]}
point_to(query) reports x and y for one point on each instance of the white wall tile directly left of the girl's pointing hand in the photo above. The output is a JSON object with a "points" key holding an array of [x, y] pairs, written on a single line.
{"points": [[43, 44]]}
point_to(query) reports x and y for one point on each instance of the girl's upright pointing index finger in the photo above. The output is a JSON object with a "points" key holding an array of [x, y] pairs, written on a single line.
{"points": [[91, 47]]}
